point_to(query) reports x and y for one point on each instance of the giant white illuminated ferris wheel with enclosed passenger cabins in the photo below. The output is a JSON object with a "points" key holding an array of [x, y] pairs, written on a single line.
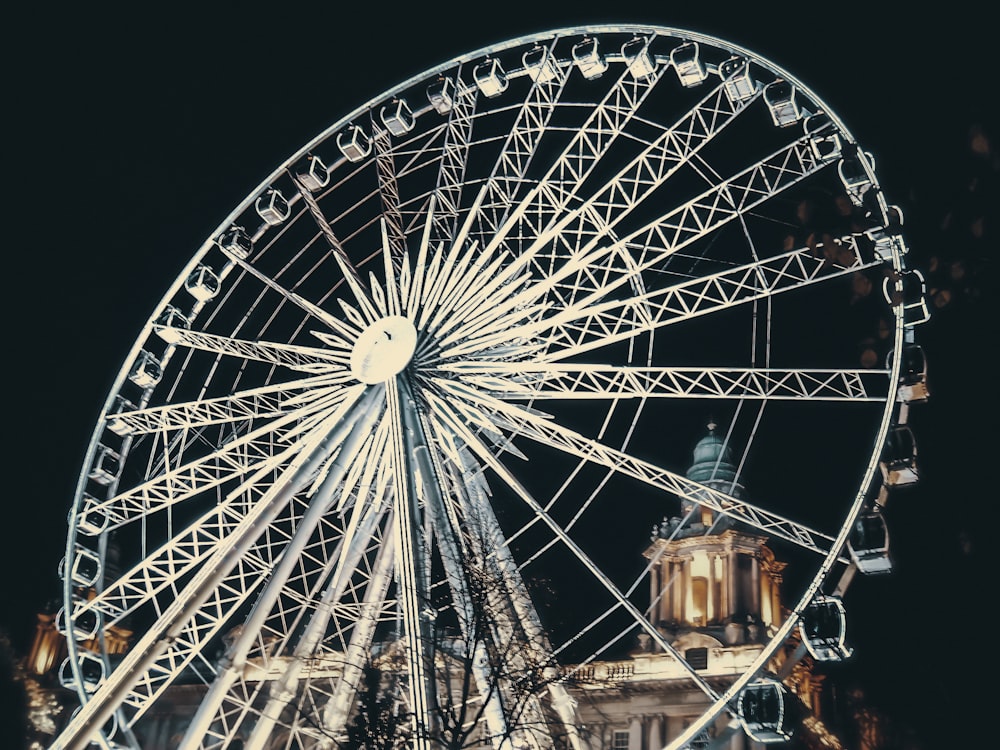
{"points": [[458, 345]]}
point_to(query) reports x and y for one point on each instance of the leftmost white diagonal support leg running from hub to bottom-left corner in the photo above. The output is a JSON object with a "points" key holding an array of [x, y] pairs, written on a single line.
{"points": [[93, 714]]}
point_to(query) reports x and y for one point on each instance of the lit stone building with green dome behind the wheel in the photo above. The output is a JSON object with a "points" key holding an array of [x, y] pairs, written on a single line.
{"points": [[715, 595]]}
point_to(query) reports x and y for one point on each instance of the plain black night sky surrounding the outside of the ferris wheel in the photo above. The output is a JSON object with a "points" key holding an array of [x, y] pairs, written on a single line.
{"points": [[131, 134]]}
